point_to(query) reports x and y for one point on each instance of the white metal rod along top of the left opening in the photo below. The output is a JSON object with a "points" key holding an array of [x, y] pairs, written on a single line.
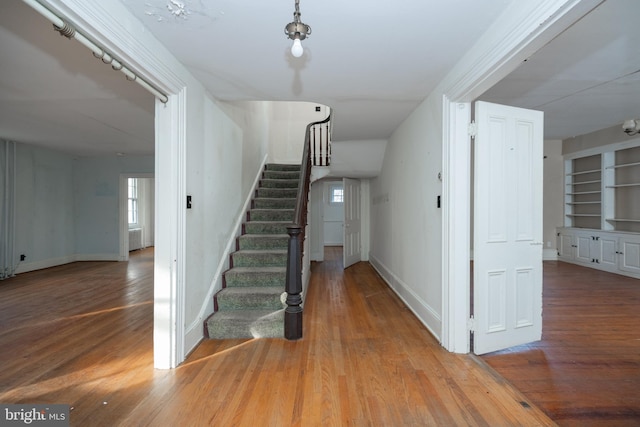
{"points": [[70, 32]]}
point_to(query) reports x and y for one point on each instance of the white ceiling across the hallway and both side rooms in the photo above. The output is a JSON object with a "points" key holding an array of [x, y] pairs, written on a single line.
{"points": [[372, 62]]}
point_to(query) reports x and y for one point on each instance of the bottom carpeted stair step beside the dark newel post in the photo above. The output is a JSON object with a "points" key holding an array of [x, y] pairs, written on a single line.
{"points": [[246, 324]]}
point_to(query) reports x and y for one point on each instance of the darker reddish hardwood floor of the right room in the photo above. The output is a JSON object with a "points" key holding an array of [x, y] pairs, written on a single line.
{"points": [[586, 369]]}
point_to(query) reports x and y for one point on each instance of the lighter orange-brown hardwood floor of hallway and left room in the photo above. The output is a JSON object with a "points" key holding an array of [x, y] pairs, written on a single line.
{"points": [[82, 334]]}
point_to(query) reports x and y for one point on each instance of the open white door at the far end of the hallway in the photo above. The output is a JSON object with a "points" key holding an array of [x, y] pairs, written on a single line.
{"points": [[352, 219]]}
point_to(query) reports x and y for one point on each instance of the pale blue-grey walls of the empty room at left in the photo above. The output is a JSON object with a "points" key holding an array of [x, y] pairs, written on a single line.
{"points": [[68, 208]]}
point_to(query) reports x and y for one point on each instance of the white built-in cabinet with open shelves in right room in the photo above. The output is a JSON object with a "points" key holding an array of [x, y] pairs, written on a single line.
{"points": [[602, 210]]}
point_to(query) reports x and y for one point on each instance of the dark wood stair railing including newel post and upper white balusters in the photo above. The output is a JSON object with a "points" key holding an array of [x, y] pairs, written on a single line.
{"points": [[316, 142]]}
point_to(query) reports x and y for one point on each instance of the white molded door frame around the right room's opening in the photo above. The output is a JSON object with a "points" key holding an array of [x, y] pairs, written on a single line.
{"points": [[492, 58]]}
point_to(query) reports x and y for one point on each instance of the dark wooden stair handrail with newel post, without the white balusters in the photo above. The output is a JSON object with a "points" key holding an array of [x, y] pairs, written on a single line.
{"points": [[293, 285]]}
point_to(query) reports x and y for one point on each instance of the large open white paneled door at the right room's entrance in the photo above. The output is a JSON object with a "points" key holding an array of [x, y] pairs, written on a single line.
{"points": [[507, 227]]}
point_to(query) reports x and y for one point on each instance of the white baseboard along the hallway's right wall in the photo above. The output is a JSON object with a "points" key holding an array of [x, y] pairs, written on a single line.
{"points": [[427, 315]]}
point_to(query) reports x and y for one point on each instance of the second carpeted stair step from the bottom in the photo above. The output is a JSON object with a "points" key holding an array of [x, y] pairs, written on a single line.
{"points": [[251, 298]]}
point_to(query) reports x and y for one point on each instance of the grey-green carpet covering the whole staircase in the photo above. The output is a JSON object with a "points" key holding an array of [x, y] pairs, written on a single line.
{"points": [[252, 301]]}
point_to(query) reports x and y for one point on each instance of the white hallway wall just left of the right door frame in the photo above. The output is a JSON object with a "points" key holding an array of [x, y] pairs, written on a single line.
{"points": [[406, 225]]}
